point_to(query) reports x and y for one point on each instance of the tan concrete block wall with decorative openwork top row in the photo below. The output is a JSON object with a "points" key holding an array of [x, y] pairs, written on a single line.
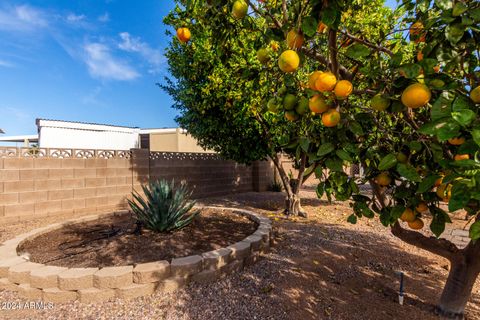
{"points": [[32, 187]]}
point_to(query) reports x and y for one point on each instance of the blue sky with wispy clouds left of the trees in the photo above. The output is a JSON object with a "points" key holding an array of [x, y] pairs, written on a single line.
{"points": [[84, 60]]}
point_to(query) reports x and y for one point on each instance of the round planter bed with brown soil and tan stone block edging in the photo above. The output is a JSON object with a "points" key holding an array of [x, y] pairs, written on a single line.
{"points": [[99, 257]]}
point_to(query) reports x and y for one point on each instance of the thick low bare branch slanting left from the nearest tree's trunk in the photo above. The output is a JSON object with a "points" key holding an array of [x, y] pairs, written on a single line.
{"points": [[441, 247]]}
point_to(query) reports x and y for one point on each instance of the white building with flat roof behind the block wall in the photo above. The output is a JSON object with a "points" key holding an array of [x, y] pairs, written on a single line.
{"points": [[79, 135]]}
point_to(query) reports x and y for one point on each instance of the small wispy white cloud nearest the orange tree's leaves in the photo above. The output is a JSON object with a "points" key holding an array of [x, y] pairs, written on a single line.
{"points": [[132, 44]]}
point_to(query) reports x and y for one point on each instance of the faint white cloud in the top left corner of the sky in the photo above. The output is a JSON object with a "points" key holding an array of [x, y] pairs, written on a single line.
{"points": [[22, 18]]}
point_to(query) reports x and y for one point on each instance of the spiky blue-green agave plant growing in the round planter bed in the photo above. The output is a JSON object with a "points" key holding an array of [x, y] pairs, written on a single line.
{"points": [[165, 206]]}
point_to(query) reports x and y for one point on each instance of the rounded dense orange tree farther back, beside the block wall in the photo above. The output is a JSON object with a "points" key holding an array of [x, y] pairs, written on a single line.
{"points": [[241, 91]]}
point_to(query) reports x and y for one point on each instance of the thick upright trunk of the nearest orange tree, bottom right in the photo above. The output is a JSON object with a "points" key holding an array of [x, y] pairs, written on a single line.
{"points": [[461, 278]]}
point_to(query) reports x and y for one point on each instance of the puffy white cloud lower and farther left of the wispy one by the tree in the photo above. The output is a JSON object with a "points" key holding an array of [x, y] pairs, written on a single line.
{"points": [[102, 64]]}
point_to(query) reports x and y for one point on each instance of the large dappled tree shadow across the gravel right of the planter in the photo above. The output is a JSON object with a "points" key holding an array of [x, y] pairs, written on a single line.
{"points": [[326, 271]]}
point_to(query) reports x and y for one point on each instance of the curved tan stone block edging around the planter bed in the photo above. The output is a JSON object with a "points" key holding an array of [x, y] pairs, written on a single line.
{"points": [[58, 284]]}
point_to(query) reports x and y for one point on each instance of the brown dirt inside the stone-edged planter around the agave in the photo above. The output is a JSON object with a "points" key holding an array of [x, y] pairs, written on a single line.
{"points": [[111, 241]]}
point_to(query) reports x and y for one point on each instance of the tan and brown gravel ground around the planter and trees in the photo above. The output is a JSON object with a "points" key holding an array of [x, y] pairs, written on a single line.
{"points": [[320, 268]]}
